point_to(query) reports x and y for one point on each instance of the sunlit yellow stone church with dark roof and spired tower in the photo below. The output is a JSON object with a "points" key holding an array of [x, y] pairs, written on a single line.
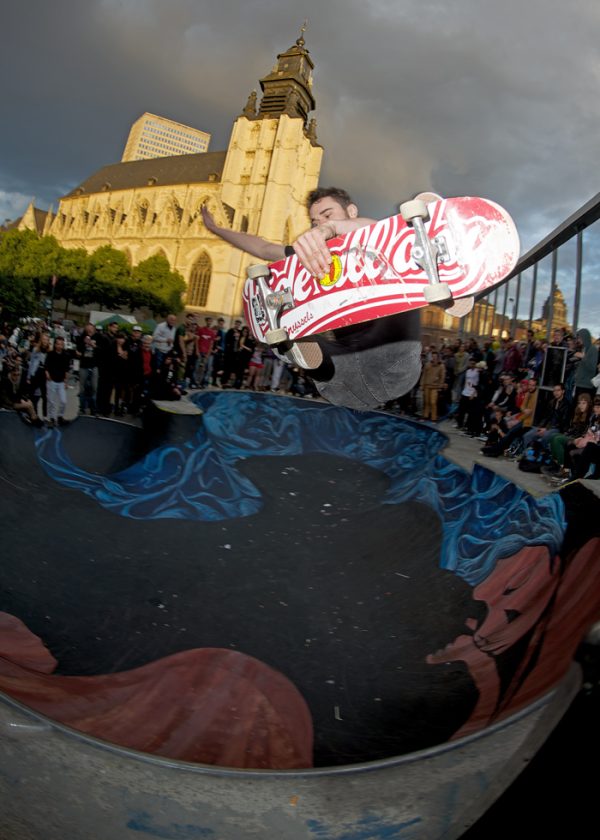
{"points": [[258, 184]]}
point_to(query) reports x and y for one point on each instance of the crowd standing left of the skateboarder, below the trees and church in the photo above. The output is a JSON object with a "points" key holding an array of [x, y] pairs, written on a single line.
{"points": [[118, 367]]}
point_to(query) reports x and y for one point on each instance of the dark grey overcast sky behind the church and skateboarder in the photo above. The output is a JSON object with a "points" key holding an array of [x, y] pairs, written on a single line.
{"points": [[465, 97]]}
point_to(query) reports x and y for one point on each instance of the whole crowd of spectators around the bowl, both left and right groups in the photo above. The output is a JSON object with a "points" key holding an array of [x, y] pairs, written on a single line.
{"points": [[513, 396]]}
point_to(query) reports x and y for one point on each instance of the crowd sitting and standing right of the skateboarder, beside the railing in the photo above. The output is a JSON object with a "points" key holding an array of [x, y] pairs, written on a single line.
{"points": [[533, 400]]}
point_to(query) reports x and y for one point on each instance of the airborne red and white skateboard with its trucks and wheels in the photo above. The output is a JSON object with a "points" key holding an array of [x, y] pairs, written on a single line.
{"points": [[436, 251]]}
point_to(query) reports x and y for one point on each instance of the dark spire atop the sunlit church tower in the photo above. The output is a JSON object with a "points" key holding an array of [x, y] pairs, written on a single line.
{"points": [[288, 88]]}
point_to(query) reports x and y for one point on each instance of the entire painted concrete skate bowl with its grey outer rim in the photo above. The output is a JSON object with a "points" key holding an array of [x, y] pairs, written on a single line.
{"points": [[275, 619]]}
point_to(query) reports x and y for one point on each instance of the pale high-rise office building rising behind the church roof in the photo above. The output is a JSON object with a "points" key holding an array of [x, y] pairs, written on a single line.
{"points": [[152, 136]]}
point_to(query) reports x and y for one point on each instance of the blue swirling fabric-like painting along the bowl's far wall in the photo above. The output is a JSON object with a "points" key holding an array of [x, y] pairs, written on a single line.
{"points": [[484, 517]]}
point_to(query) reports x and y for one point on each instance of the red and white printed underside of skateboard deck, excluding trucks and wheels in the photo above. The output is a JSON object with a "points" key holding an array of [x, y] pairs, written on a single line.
{"points": [[374, 272]]}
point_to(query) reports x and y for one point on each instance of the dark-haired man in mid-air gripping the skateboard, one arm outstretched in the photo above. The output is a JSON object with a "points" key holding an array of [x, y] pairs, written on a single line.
{"points": [[361, 366]]}
